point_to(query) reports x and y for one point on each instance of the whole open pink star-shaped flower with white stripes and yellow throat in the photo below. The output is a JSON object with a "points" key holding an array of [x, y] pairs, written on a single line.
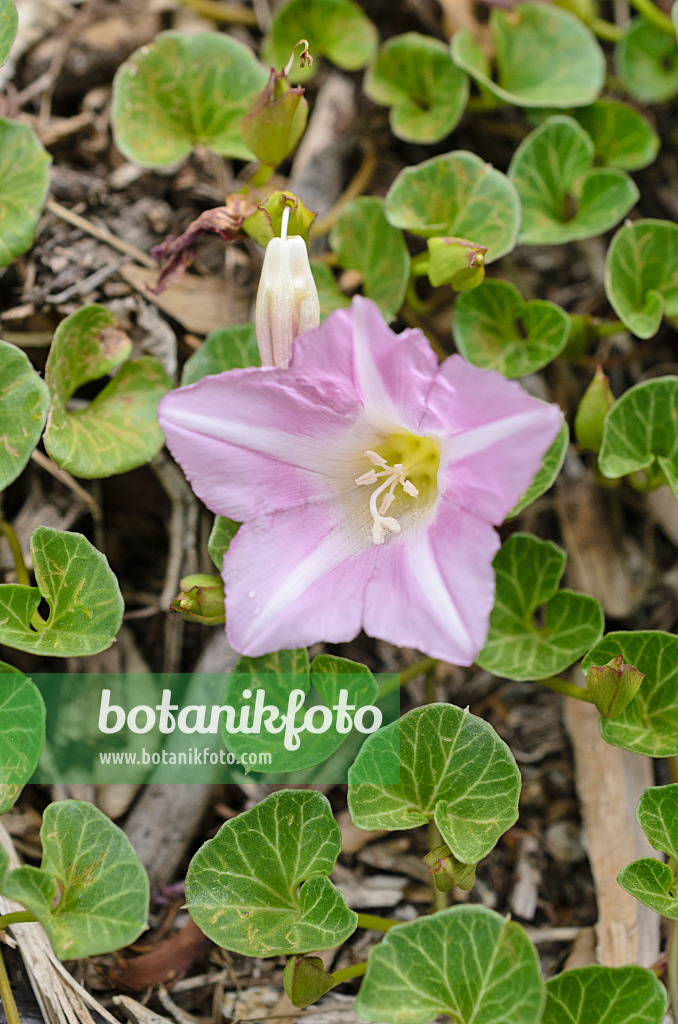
{"points": [[368, 480]]}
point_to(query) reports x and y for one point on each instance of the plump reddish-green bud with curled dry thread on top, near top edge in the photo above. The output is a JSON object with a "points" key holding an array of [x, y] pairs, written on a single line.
{"points": [[276, 121]]}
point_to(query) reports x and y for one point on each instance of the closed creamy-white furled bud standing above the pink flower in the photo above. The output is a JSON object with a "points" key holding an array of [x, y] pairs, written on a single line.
{"points": [[287, 301]]}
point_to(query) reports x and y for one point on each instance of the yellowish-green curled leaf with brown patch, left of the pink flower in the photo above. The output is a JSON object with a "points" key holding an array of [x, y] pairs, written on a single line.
{"points": [[119, 431]]}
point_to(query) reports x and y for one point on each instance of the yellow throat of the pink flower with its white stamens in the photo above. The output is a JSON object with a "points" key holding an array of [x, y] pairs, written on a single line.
{"points": [[403, 461]]}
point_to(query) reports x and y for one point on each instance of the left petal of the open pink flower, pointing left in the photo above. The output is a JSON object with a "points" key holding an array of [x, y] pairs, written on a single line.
{"points": [[252, 442]]}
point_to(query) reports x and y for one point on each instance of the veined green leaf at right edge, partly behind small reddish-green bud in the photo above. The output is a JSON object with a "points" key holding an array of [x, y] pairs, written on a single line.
{"points": [[650, 723]]}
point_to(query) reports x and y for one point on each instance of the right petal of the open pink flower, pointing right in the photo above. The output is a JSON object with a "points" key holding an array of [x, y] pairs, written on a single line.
{"points": [[497, 438]]}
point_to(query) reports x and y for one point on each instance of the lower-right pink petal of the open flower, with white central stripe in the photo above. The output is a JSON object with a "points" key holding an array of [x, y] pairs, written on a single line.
{"points": [[436, 589]]}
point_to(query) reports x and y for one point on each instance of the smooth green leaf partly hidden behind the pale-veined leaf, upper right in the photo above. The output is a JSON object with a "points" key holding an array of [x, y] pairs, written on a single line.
{"points": [[622, 138]]}
